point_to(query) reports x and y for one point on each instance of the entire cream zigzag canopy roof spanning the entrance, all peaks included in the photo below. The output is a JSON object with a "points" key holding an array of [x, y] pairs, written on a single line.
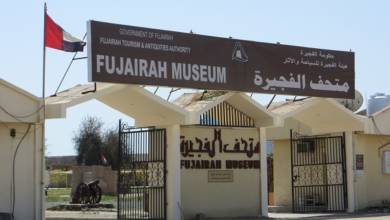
{"points": [[311, 116]]}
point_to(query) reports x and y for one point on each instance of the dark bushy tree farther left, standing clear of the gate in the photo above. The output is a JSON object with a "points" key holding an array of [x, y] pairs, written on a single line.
{"points": [[88, 141]]}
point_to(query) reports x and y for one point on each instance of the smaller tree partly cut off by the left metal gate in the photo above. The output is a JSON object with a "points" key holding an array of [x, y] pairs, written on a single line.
{"points": [[110, 147]]}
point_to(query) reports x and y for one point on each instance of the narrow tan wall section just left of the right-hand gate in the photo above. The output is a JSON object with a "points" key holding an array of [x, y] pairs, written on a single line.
{"points": [[282, 174]]}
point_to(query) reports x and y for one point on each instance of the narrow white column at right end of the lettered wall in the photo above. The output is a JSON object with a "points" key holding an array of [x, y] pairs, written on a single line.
{"points": [[263, 172]]}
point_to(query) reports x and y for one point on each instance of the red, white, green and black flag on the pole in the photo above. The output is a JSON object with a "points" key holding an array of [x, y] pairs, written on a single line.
{"points": [[58, 38]]}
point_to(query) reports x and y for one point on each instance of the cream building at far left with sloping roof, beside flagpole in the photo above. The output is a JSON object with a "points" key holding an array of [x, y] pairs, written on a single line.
{"points": [[21, 155]]}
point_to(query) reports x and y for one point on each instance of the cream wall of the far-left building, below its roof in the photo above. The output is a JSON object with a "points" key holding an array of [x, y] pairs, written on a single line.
{"points": [[27, 175]]}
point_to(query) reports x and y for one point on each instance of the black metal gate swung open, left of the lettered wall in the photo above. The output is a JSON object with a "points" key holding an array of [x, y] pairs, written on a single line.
{"points": [[142, 173]]}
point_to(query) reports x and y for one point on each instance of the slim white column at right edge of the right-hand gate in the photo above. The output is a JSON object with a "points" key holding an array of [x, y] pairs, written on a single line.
{"points": [[350, 171]]}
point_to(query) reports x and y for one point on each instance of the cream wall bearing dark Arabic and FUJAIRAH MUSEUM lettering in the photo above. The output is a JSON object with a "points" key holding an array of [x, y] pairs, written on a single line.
{"points": [[241, 197]]}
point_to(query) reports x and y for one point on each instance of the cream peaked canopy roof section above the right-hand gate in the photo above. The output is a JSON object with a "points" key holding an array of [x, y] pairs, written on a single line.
{"points": [[314, 116]]}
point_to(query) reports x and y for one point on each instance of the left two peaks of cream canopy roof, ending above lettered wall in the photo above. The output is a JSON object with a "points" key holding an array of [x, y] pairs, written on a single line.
{"points": [[149, 109]]}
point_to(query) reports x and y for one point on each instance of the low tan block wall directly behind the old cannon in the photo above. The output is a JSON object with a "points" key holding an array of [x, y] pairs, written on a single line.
{"points": [[106, 176]]}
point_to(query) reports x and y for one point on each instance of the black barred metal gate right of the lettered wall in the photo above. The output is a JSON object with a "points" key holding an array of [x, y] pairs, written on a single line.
{"points": [[318, 172]]}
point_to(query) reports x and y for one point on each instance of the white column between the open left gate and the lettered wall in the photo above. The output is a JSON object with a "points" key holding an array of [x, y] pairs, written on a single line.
{"points": [[173, 175]]}
